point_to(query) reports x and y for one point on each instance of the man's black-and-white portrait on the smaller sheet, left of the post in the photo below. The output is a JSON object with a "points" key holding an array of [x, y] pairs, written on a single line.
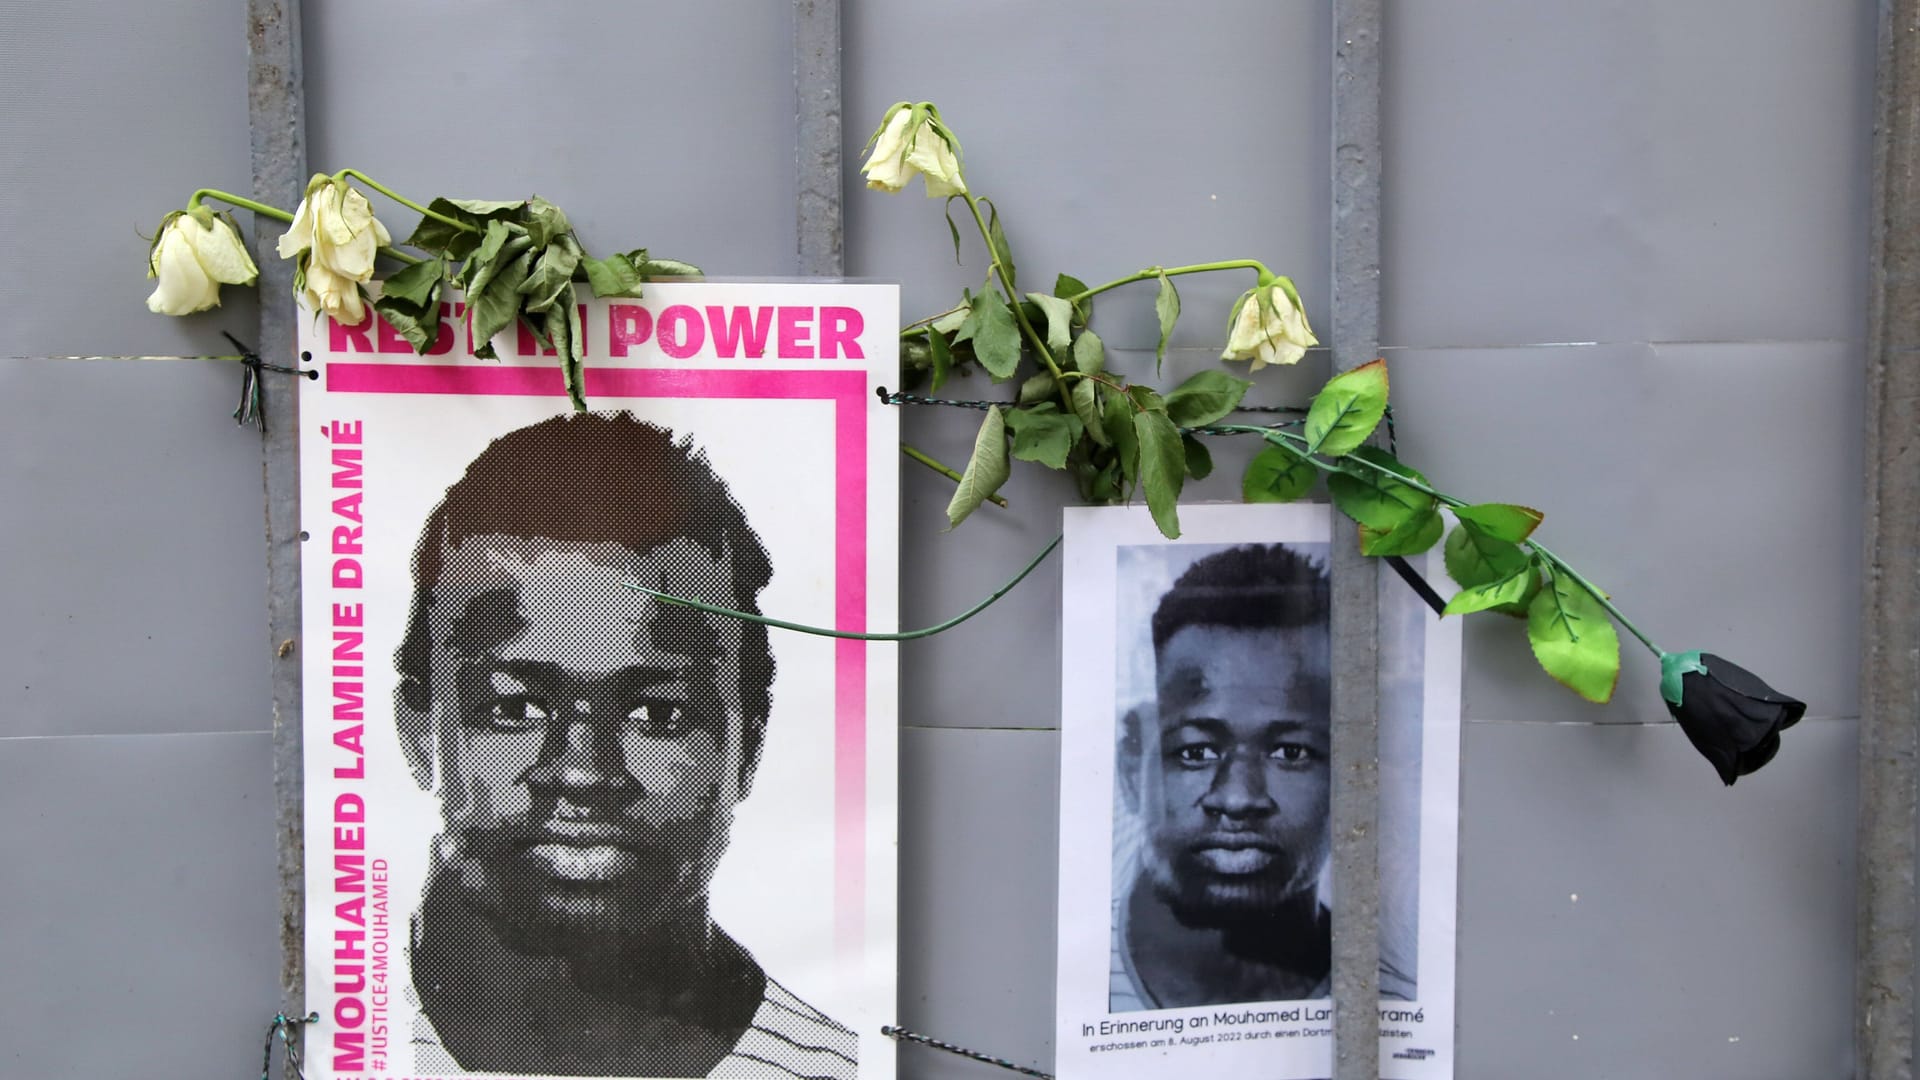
{"points": [[1226, 777]]}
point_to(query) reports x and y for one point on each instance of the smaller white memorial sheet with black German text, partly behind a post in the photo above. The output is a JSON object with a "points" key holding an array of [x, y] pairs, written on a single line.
{"points": [[1195, 881]]}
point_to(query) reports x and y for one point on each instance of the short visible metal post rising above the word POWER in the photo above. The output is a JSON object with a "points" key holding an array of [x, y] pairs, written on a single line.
{"points": [[817, 84]]}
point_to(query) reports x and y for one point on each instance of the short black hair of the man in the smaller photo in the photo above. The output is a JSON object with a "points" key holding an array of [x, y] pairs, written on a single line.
{"points": [[1255, 587]]}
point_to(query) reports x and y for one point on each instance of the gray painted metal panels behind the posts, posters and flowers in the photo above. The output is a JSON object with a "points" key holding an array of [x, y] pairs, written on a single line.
{"points": [[1625, 172]]}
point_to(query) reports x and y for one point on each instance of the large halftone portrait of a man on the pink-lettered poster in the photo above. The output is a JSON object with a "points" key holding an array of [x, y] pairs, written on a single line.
{"points": [[588, 747]]}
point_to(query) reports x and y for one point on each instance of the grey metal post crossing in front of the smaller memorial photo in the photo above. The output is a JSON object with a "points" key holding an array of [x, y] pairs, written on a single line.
{"points": [[1356, 620]]}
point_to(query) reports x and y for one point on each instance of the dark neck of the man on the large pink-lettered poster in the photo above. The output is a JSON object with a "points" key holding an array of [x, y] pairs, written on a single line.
{"points": [[673, 1004]]}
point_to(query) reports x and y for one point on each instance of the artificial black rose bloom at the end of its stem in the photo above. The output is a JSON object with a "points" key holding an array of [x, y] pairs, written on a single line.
{"points": [[1727, 712]]}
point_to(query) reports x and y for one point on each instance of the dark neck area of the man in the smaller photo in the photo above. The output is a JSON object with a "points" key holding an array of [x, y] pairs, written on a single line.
{"points": [[1282, 958]]}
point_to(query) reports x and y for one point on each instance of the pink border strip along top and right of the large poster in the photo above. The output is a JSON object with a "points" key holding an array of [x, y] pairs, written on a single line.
{"points": [[850, 395]]}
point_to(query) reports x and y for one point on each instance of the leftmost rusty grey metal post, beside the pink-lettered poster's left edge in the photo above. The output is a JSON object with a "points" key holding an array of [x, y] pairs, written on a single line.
{"points": [[277, 122]]}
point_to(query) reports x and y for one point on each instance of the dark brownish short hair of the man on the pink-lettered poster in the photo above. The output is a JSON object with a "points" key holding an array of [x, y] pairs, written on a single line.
{"points": [[596, 478]]}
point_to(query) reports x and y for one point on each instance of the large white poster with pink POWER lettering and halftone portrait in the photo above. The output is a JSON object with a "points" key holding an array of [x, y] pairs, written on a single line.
{"points": [[556, 827]]}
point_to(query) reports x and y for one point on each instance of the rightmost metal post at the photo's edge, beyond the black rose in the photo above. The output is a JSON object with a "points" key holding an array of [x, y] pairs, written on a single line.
{"points": [[1890, 614]]}
